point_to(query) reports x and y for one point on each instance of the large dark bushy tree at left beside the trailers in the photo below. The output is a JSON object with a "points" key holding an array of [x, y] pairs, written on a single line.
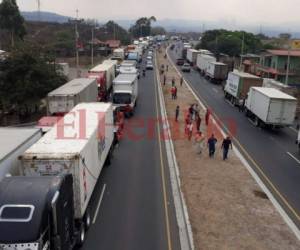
{"points": [[26, 77]]}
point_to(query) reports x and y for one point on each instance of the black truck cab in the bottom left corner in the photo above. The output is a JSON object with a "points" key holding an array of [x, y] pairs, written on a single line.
{"points": [[37, 213]]}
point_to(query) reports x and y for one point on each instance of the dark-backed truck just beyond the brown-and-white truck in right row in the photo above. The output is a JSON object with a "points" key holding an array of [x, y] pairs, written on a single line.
{"points": [[217, 72]]}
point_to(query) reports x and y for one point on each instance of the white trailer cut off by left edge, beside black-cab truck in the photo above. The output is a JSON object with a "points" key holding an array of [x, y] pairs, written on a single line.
{"points": [[14, 142]]}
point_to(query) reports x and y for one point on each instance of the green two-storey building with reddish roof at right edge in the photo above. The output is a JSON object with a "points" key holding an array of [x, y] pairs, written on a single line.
{"points": [[273, 64]]}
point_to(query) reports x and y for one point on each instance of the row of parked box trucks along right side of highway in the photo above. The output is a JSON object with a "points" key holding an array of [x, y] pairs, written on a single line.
{"points": [[263, 104]]}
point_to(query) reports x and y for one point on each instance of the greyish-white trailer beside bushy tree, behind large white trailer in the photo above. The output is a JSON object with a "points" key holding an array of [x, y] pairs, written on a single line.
{"points": [[61, 100]]}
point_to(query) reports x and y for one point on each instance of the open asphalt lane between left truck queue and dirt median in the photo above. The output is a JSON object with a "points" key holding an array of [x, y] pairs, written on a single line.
{"points": [[135, 213]]}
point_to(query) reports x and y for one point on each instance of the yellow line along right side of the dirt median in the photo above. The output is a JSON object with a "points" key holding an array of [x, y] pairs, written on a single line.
{"points": [[284, 200]]}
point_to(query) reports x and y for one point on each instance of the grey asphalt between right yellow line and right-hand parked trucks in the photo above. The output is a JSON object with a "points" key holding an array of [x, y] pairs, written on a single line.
{"points": [[277, 164]]}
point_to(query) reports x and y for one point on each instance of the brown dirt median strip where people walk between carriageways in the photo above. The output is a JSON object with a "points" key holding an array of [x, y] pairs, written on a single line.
{"points": [[227, 208]]}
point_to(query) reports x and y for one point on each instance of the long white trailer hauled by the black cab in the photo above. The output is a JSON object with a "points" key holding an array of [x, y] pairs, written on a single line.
{"points": [[81, 150]]}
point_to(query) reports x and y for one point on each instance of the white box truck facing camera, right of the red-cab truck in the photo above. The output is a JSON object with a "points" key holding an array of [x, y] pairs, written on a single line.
{"points": [[125, 93]]}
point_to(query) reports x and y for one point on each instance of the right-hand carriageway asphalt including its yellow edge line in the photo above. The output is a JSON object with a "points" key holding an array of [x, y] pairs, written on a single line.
{"points": [[272, 154]]}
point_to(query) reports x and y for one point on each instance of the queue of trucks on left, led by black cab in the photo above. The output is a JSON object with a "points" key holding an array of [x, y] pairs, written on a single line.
{"points": [[47, 176]]}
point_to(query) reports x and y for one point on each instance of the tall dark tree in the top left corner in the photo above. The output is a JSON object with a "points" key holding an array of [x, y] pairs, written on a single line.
{"points": [[11, 20]]}
